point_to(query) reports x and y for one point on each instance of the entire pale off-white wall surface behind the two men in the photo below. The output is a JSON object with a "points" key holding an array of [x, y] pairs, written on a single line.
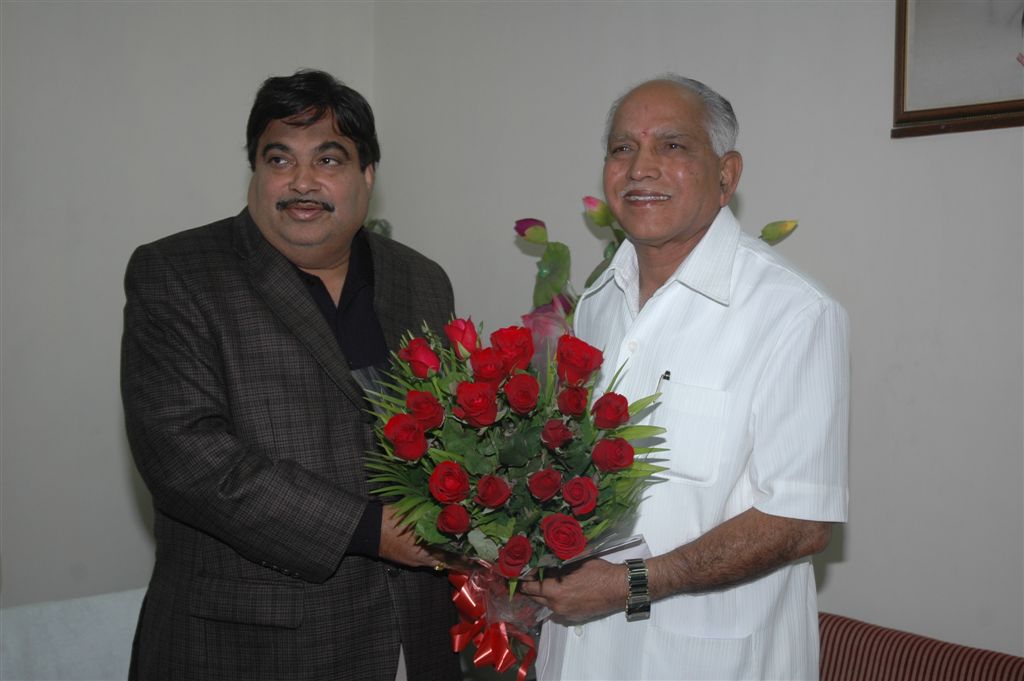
{"points": [[489, 113]]}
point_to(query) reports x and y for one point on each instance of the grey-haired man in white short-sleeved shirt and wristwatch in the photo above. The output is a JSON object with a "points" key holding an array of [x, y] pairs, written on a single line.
{"points": [[751, 359]]}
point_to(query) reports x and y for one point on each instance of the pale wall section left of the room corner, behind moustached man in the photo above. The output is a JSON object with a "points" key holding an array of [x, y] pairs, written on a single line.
{"points": [[122, 123]]}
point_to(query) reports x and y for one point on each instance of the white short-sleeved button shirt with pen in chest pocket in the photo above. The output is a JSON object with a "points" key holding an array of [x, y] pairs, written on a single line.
{"points": [[756, 404]]}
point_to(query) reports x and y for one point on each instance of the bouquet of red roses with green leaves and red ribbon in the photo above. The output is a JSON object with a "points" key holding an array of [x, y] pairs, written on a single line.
{"points": [[492, 461]]}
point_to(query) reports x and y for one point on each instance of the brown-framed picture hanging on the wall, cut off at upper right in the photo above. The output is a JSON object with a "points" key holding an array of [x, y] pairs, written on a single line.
{"points": [[960, 66]]}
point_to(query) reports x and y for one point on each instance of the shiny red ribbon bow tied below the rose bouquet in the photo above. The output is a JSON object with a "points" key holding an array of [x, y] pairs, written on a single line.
{"points": [[491, 640]]}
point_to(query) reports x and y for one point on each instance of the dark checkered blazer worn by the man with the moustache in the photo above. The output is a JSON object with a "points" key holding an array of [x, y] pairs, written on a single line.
{"points": [[250, 434]]}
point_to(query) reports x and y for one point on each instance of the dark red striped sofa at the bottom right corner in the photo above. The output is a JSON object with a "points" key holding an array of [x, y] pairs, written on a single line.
{"points": [[856, 651]]}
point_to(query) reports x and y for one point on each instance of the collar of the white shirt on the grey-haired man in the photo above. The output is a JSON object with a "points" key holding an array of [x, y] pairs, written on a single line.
{"points": [[708, 270]]}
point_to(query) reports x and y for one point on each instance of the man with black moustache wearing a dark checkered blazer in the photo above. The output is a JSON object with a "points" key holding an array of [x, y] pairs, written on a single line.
{"points": [[242, 346]]}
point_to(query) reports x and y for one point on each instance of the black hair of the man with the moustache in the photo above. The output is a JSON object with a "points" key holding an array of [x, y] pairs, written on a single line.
{"points": [[308, 97]]}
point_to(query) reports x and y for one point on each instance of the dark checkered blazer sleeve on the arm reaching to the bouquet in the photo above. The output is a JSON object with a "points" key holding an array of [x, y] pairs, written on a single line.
{"points": [[271, 510]]}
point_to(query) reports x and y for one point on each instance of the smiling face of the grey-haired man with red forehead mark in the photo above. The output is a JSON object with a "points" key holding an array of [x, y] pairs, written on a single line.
{"points": [[663, 181]]}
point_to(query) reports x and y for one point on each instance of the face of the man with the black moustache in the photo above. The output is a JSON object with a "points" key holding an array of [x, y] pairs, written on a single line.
{"points": [[308, 195]]}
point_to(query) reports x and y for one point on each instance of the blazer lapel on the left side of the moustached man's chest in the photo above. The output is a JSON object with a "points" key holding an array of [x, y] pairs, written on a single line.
{"points": [[279, 285]]}
